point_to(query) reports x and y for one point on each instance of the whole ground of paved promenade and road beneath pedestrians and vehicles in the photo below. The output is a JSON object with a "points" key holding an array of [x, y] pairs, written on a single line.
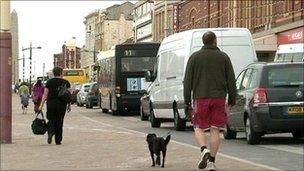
{"points": [[96, 141]]}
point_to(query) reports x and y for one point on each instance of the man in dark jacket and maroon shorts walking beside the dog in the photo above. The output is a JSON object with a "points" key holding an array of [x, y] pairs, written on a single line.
{"points": [[209, 77]]}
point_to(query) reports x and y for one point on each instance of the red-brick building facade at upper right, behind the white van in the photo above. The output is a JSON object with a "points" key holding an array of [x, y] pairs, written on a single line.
{"points": [[265, 19]]}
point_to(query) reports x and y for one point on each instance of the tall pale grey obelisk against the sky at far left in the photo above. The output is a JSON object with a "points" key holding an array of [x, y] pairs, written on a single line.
{"points": [[15, 47]]}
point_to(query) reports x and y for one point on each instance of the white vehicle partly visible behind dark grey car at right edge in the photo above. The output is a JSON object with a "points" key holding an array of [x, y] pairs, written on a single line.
{"points": [[290, 52]]}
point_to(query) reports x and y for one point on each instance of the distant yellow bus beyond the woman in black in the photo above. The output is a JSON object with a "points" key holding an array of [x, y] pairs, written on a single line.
{"points": [[75, 76]]}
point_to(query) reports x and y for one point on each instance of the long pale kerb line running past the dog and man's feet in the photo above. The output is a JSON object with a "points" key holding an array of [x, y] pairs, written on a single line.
{"points": [[184, 144]]}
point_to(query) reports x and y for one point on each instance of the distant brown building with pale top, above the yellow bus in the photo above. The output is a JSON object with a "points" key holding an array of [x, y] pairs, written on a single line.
{"points": [[69, 58]]}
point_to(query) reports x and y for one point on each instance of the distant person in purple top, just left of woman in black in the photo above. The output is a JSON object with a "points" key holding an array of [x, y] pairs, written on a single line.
{"points": [[37, 93]]}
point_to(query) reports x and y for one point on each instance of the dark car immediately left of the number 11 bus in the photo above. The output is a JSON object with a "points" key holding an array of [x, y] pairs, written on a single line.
{"points": [[92, 96]]}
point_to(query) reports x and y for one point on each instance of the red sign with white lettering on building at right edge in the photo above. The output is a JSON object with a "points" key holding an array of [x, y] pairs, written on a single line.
{"points": [[291, 36]]}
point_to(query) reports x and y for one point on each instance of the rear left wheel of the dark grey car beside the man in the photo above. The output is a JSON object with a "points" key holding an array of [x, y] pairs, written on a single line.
{"points": [[251, 136]]}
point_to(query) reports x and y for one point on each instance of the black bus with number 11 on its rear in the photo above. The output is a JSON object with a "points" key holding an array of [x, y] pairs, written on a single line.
{"points": [[122, 75]]}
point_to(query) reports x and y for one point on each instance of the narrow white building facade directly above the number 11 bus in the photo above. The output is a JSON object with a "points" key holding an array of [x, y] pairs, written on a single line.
{"points": [[143, 27]]}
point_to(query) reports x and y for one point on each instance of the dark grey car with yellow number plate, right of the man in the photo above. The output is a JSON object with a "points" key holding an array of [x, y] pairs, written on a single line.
{"points": [[270, 100]]}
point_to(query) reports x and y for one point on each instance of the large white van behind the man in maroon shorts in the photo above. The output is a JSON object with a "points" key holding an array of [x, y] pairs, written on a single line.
{"points": [[166, 94]]}
